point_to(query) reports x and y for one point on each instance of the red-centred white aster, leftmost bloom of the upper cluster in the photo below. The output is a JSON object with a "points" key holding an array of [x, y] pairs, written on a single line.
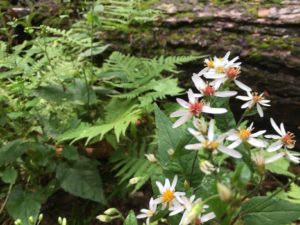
{"points": [[193, 108]]}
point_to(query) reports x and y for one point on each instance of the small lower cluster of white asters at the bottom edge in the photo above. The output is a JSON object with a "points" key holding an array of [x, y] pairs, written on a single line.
{"points": [[176, 202]]}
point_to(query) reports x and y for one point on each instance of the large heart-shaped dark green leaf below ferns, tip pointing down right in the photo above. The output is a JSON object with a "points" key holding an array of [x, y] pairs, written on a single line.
{"points": [[82, 179]]}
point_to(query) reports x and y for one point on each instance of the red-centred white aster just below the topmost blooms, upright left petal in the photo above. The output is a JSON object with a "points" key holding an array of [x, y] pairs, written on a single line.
{"points": [[207, 89]]}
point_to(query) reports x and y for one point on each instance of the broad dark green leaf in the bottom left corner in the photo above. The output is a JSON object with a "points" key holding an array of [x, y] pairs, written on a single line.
{"points": [[22, 205]]}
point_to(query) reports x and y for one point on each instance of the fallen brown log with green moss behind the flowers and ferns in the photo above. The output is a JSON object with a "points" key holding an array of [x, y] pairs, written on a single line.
{"points": [[266, 37]]}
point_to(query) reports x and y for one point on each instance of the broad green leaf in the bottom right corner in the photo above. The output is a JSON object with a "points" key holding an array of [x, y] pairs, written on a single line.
{"points": [[268, 211]]}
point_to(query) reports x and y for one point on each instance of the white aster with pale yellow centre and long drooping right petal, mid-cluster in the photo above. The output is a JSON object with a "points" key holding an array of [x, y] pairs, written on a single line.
{"points": [[211, 143]]}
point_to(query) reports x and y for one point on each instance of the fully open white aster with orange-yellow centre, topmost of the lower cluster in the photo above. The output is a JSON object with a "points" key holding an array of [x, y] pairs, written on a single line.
{"points": [[169, 196]]}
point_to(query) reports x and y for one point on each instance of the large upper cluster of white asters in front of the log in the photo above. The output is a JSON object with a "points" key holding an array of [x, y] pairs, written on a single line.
{"points": [[215, 81]]}
